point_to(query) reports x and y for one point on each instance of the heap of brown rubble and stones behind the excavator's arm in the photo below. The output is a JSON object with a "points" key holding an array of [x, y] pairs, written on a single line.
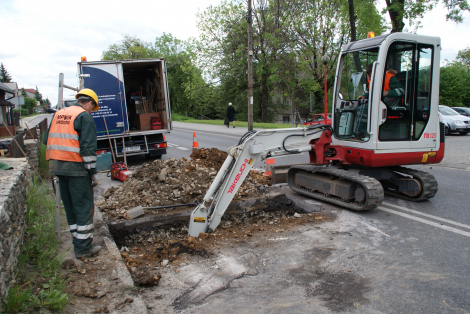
{"points": [[173, 181]]}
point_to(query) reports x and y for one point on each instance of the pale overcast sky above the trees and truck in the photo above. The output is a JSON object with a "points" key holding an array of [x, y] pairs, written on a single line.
{"points": [[40, 39]]}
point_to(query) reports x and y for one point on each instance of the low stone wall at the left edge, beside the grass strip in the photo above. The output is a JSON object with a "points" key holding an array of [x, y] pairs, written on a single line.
{"points": [[13, 188]]}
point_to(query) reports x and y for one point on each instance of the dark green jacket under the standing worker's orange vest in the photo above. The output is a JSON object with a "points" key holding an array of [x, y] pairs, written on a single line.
{"points": [[86, 129]]}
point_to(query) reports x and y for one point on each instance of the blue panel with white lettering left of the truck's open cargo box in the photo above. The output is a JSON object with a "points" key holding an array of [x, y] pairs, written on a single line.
{"points": [[106, 79]]}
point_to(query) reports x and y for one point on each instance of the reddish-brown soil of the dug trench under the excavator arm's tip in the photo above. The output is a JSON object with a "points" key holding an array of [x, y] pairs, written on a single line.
{"points": [[155, 249]]}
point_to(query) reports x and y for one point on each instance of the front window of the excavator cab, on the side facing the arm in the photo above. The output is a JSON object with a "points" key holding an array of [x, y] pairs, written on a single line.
{"points": [[351, 114]]}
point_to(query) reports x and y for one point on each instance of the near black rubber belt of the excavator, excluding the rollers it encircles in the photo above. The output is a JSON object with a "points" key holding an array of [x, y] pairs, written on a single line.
{"points": [[374, 192]]}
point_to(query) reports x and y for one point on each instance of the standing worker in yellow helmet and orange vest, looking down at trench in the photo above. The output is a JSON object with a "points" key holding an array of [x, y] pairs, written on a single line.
{"points": [[71, 151]]}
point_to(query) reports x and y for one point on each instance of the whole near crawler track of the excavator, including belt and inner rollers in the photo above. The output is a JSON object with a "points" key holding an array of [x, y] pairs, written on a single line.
{"points": [[340, 187]]}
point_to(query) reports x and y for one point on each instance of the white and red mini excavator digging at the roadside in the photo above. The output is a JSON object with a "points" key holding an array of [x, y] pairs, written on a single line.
{"points": [[358, 159]]}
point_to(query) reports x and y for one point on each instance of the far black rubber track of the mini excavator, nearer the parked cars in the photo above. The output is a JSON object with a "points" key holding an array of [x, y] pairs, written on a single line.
{"points": [[427, 180]]}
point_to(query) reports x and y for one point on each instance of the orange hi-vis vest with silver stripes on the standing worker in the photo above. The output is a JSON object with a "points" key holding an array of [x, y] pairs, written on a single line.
{"points": [[62, 141]]}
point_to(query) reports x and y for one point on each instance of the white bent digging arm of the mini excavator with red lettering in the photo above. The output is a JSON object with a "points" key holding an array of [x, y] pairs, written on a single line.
{"points": [[253, 146]]}
